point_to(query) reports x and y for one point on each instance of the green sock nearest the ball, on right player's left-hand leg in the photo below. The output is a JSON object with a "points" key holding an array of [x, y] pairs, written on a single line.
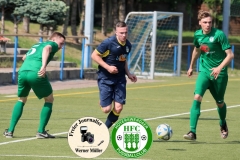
{"points": [[194, 115]]}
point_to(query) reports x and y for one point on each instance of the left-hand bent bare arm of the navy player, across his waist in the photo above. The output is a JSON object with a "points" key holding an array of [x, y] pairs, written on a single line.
{"points": [[98, 59]]}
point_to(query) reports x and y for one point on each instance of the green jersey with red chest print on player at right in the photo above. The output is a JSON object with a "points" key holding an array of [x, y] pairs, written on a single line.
{"points": [[212, 46]]}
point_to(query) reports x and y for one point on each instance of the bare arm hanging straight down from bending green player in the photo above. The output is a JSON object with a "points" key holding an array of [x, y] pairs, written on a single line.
{"points": [[45, 55]]}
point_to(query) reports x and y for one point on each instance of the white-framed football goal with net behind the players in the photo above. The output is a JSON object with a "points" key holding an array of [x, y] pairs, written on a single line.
{"points": [[151, 34]]}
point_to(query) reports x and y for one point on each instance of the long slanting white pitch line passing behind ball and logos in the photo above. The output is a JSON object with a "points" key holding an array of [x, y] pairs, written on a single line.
{"points": [[148, 119]]}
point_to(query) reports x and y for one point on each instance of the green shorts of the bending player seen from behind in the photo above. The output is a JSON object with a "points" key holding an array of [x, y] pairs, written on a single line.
{"points": [[28, 80]]}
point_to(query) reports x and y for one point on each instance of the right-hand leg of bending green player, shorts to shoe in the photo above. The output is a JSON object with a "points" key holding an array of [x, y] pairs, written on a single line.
{"points": [[43, 89]]}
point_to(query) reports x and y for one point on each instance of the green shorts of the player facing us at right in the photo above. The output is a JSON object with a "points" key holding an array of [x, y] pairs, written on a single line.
{"points": [[217, 87]]}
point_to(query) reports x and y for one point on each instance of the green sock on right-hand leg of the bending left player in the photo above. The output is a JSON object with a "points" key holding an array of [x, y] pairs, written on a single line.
{"points": [[45, 116]]}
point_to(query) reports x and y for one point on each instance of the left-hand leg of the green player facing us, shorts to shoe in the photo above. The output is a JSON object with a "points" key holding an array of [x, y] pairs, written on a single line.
{"points": [[202, 84]]}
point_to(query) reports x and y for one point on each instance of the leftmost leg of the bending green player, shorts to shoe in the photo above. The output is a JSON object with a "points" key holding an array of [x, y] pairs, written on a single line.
{"points": [[23, 91]]}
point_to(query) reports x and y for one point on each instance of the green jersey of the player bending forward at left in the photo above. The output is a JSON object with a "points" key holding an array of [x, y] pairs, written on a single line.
{"points": [[33, 59]]}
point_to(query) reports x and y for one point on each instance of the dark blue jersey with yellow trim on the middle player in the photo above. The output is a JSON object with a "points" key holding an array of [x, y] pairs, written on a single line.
{"points": [[114, 54]]}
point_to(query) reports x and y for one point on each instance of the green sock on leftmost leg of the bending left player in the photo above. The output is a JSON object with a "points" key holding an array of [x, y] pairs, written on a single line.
{"points": [[16, 114]]}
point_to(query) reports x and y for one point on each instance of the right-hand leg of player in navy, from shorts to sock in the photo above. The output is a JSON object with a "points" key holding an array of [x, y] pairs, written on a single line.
{"points": [[119, 101]]}
